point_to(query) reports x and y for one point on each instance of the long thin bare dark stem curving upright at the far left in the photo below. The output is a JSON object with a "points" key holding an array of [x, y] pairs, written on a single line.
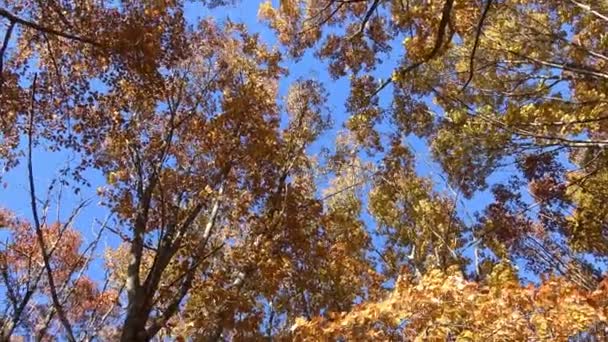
{"points": [[38, 226]]}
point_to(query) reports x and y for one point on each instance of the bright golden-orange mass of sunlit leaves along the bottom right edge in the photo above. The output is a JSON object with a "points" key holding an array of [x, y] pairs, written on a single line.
{"points": [[441, 305]]}
